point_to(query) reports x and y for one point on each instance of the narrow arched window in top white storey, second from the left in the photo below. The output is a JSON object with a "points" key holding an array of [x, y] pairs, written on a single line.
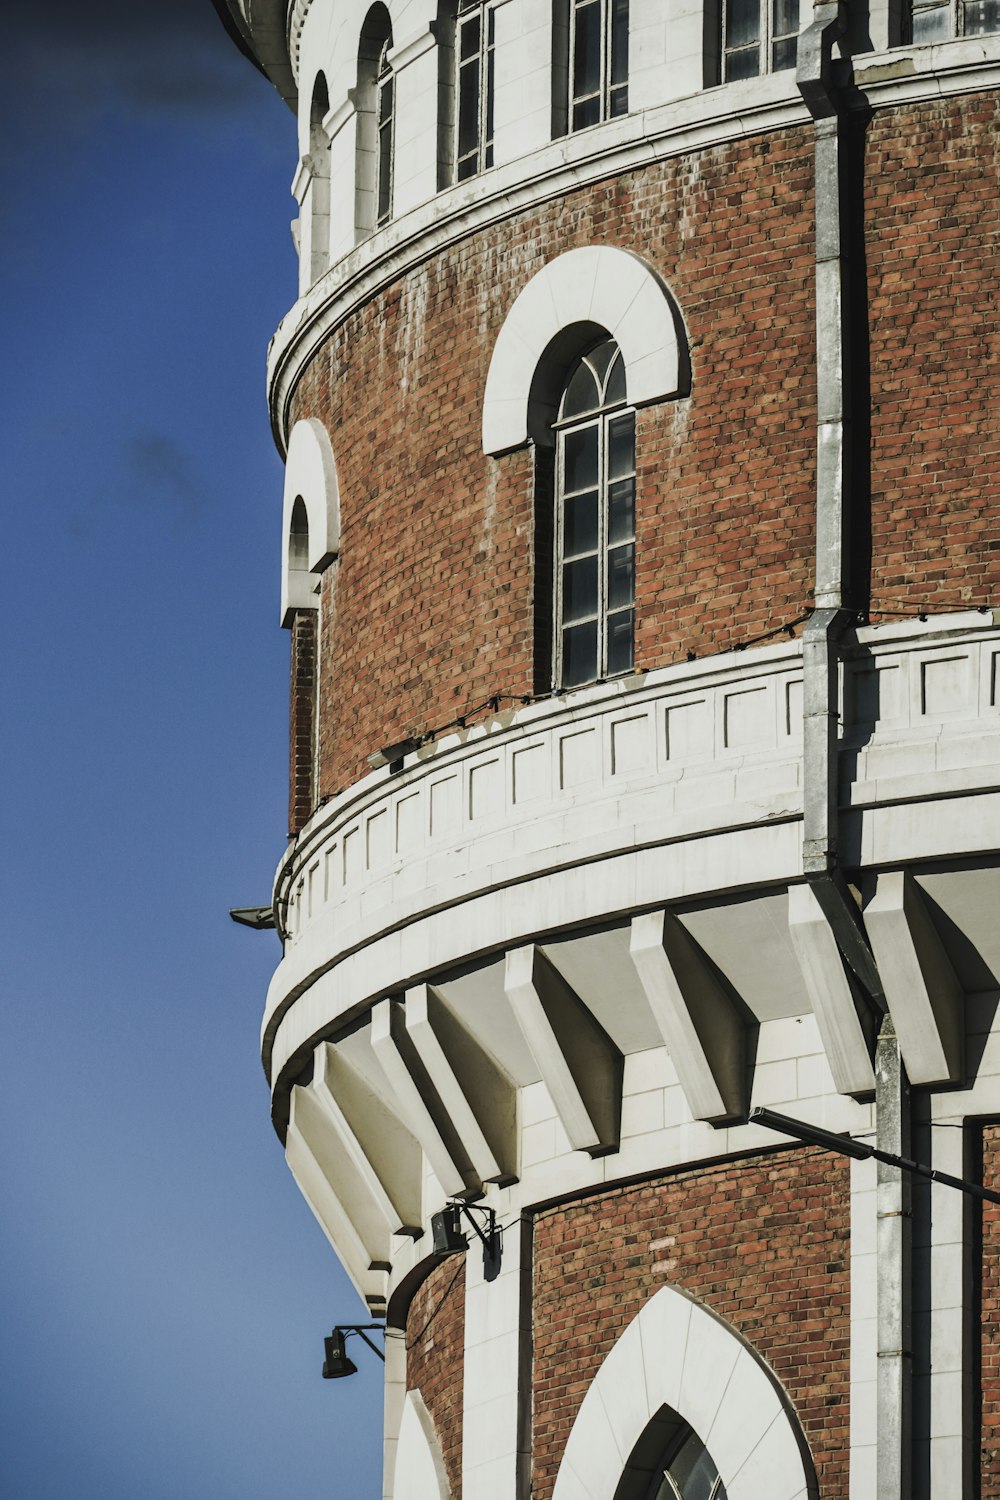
{"points": [[376, 115]]}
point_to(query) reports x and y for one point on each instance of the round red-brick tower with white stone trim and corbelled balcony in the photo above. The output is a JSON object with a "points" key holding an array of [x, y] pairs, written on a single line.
{"points": [[639, 553]]}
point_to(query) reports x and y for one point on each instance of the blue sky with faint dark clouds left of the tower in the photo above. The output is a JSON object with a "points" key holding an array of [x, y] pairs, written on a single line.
{"points": [[166, 1288]]}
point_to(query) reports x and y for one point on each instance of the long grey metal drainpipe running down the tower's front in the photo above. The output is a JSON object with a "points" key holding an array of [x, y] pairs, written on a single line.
{"points": [[821, 673]]}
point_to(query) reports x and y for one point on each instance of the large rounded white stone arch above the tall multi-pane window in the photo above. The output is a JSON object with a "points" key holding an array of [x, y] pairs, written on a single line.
{"points": [[594, 290]]}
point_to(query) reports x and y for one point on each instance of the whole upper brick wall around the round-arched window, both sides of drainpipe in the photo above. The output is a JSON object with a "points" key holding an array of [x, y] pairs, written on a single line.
{"points": [[437, 589]]}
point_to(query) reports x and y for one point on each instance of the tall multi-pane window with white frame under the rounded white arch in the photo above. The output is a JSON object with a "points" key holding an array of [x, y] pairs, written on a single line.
{"points": [[596, 523]]}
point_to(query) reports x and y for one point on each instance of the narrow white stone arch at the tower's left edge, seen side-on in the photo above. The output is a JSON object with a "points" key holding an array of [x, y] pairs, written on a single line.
{"points": [[311, 476]]}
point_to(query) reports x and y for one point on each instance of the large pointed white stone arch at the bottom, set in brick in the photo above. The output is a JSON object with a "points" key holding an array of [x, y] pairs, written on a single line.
{"points": [[680, 1355]]}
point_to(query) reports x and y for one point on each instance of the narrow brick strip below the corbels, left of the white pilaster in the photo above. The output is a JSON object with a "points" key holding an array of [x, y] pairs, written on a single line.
{"points": [[436, 1358]]}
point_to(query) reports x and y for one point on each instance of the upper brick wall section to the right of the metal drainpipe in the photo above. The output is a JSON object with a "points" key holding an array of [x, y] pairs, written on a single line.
{"points": [[933, 245]]}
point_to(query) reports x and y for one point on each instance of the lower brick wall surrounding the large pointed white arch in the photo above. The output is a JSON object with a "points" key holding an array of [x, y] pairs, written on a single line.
{"points": [[764, 1243]]}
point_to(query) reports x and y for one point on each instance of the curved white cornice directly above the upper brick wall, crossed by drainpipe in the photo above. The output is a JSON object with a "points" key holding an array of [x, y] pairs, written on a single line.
{"points": [[714, 118]]}
